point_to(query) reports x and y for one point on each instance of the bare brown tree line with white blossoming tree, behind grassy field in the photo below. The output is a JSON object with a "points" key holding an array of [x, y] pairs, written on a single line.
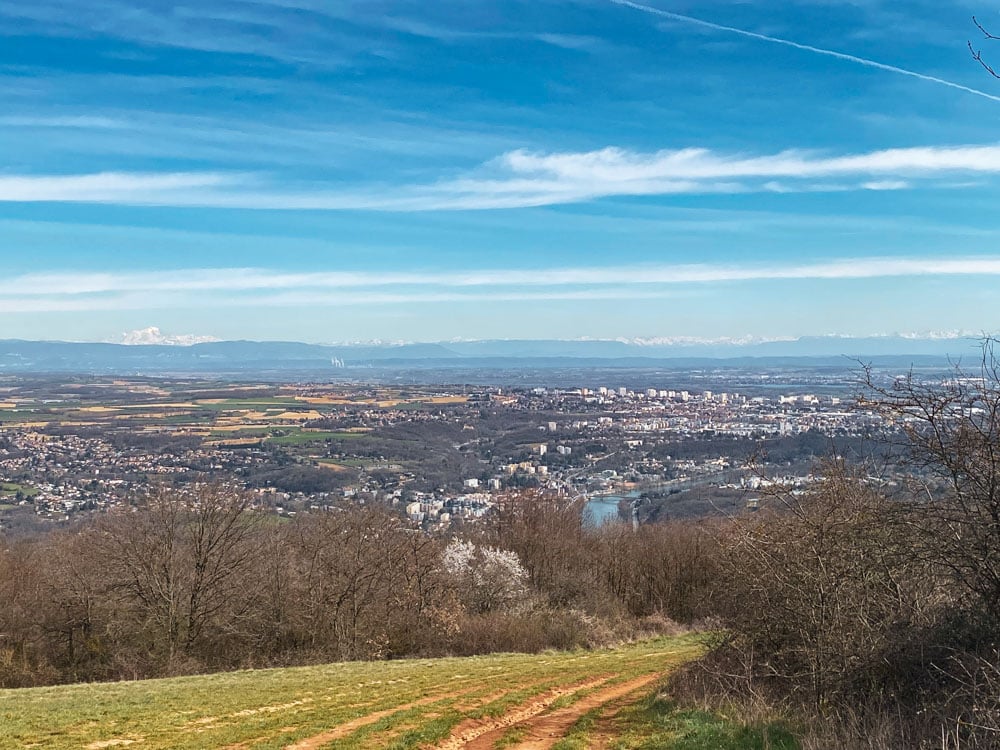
{"points": [[194, 580]]}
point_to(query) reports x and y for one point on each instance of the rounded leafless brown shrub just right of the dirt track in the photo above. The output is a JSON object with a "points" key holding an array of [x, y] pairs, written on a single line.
{"points": [[820, 588]]}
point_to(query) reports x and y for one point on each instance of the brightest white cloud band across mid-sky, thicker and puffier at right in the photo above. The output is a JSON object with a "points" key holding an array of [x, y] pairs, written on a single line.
{"points": [[521, 179]]}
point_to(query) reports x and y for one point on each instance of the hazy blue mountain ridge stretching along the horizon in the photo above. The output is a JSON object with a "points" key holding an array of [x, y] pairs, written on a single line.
{"points": [[248, 356]]}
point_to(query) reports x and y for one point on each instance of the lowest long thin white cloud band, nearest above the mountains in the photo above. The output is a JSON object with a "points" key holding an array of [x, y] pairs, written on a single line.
{"points": [[228, 287]]}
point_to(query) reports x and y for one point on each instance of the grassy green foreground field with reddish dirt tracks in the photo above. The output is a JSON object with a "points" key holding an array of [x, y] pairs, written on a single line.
{"points": [[490, 701]]}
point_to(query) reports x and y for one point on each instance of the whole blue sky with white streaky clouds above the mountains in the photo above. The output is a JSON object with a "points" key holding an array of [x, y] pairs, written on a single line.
{"points": [[336, 171]]}
